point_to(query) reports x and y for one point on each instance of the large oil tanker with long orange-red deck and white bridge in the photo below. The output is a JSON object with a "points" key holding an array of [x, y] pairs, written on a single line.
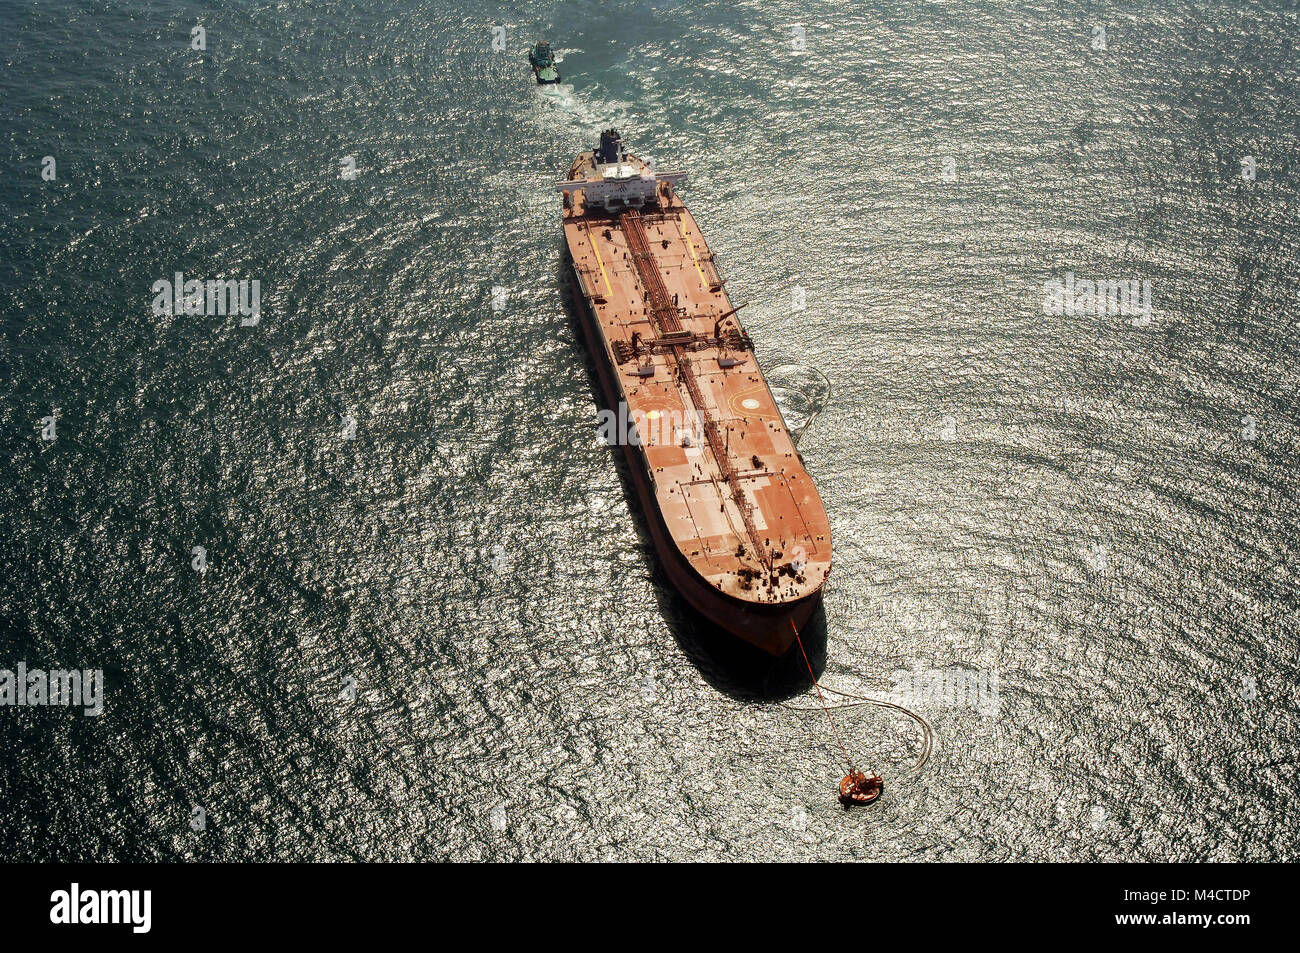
{"points": [[736, 521]]}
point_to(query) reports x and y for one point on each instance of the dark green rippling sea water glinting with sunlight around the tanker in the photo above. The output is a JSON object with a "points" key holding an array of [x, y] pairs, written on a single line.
{"points": [[1102, 516]]}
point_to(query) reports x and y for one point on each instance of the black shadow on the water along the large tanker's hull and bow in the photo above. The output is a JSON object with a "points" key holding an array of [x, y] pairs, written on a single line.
{"points": [[725, 661]]}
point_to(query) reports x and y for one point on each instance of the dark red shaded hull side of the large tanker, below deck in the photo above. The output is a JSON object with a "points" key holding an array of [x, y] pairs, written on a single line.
{"points": [[768, 627]]}
